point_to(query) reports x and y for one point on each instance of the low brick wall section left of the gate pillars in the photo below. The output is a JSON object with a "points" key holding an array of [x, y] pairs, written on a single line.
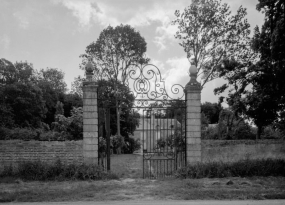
{"points": [[13, 151]]}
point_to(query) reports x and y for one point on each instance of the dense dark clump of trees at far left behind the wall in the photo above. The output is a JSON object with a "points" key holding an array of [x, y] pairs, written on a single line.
{"points": [[29, 96]]}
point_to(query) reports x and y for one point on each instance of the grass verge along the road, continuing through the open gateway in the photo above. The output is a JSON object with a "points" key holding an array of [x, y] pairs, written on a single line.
{"points": [[131, 186]]}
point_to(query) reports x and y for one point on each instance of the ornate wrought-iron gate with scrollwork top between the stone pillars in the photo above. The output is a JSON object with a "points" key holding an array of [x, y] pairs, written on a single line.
{"points": [[159, 120]]}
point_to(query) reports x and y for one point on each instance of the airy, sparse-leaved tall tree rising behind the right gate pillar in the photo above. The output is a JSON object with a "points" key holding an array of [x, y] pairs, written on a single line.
{"points": [[211, 34]]}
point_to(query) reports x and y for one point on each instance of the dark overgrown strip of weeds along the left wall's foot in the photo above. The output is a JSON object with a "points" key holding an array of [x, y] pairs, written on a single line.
{"points": [[42, 171]]}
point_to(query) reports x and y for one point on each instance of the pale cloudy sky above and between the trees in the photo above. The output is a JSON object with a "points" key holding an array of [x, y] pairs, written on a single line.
{"points": [[54, 33]]}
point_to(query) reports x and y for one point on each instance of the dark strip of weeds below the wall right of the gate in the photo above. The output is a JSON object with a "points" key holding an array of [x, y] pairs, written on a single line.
{"points": [[243, 168]]}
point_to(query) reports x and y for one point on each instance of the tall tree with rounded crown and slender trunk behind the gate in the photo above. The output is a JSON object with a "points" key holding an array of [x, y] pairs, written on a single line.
{"points": [[114, 54]]}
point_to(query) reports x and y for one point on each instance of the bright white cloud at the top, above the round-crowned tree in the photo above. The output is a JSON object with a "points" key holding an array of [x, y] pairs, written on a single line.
{"points": [[146, 13]]}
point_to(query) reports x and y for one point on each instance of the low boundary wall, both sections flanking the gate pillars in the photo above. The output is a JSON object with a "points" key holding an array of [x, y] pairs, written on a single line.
{"points": [[14, 151]]}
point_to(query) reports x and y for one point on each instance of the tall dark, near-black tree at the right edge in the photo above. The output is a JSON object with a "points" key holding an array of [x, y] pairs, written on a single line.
{"points": [[257, 90]]}
